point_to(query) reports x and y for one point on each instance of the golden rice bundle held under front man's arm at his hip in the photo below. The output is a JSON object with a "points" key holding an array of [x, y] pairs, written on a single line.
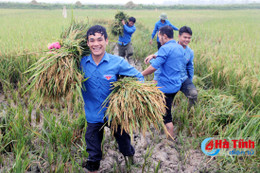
{"points": [[135, 106]]}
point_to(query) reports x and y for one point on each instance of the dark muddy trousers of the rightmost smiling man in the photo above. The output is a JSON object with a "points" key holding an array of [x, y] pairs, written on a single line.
{"points": [[190, 91]]}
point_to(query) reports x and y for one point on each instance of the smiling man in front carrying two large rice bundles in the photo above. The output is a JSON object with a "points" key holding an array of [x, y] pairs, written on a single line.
{"points": [[101, 69]]}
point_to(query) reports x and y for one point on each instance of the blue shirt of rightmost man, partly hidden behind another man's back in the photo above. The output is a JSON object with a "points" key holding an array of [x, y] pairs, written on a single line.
{"points": [[187, 70]]}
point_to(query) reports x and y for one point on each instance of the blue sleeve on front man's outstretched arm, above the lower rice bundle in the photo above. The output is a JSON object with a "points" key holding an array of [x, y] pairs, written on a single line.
{"points": [[127, 70]]}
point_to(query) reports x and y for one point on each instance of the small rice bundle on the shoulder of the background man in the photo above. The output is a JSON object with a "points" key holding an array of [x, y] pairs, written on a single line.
{"points": [[117, 26]]}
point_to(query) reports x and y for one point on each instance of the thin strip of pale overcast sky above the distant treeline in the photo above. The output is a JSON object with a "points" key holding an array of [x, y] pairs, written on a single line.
{"points": [[123, 1]]}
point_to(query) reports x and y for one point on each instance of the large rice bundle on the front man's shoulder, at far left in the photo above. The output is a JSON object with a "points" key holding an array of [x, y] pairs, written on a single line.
{"points": [[57, 74]]}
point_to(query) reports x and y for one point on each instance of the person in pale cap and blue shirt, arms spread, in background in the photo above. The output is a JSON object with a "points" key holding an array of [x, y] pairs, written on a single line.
{"points": [[162, 22]]}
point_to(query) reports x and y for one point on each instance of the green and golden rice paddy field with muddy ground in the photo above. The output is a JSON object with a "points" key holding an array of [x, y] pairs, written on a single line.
{"points": [[50, 137]]}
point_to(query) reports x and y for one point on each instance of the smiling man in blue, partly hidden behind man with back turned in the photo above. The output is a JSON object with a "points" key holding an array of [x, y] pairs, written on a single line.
{"points": [[187, 87]]}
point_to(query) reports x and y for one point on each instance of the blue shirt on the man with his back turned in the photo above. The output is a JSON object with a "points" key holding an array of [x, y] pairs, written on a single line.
{"points": [[170, 61]]}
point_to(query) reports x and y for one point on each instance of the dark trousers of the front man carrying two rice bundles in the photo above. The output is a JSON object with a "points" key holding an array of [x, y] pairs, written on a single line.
{"points": [[94, 136]]}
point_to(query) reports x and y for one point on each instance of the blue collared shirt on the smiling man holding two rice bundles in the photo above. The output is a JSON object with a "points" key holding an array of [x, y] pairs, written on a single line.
{"points": [[98, 85]]}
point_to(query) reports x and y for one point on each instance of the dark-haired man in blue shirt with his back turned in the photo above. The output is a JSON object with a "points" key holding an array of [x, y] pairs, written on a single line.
{"points": [[170, 61]]}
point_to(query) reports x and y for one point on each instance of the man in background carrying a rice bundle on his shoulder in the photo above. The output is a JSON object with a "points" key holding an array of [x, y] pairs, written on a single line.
{"points": [[125, 48]]}
